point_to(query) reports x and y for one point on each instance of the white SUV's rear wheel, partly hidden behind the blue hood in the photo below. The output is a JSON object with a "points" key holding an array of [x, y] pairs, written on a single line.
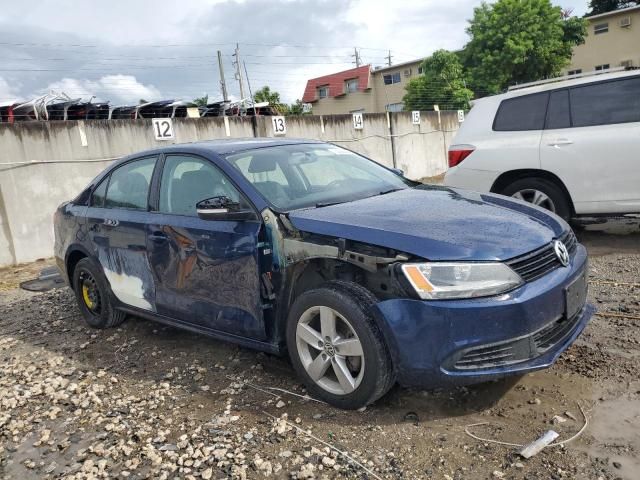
{"points": [[541, 192]]}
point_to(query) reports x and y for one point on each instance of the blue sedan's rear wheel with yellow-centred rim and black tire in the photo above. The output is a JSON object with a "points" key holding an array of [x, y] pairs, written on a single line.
{"points": [[94, 296]]}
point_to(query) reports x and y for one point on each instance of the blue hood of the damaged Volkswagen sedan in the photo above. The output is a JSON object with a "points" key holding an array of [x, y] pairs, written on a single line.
{"points": [[437, 223]]}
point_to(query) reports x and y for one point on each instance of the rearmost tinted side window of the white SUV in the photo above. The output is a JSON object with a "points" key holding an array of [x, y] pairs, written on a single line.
{"points": [[521, 113]]}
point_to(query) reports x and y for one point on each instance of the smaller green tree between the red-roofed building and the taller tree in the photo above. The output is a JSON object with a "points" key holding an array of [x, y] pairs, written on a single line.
{"points": [[442, 83]]}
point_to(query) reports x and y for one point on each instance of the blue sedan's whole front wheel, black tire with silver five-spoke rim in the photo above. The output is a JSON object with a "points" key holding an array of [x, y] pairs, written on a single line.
{"points": [[335, 346]]}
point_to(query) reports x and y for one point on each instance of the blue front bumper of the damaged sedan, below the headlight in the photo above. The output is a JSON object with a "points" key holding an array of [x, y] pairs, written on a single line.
{"points": [[451, 342]]}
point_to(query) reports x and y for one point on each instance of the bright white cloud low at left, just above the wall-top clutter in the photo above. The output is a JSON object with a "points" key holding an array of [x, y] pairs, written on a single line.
{"points": [[114, 88]]}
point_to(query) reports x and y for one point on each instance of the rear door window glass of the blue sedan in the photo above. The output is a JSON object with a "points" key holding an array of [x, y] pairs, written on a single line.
{"points": [[129, 185]]}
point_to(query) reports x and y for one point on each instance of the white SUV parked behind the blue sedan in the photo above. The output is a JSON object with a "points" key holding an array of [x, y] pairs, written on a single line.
{"points": [[571, 146]]}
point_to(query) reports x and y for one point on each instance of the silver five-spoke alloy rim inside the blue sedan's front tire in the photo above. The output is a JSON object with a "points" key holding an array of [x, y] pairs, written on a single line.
{"points": [[330, 350]]}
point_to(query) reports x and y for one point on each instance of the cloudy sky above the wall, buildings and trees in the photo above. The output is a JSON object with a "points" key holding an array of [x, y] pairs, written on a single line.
{"points": [[124, 51]]}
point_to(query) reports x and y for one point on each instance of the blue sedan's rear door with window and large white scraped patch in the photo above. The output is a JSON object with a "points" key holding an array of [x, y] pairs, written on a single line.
{"points": [[116, 221]]}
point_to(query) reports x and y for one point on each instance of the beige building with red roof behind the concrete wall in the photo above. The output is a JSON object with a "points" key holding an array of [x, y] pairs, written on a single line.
{"points": [[361, 89]]}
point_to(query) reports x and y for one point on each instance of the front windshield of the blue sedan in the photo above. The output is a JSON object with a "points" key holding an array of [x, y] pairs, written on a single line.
{"points": [[314, 175]]}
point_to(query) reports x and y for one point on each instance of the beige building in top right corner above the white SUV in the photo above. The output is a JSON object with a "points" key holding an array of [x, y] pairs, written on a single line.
{"points": [[613, 40]]}
